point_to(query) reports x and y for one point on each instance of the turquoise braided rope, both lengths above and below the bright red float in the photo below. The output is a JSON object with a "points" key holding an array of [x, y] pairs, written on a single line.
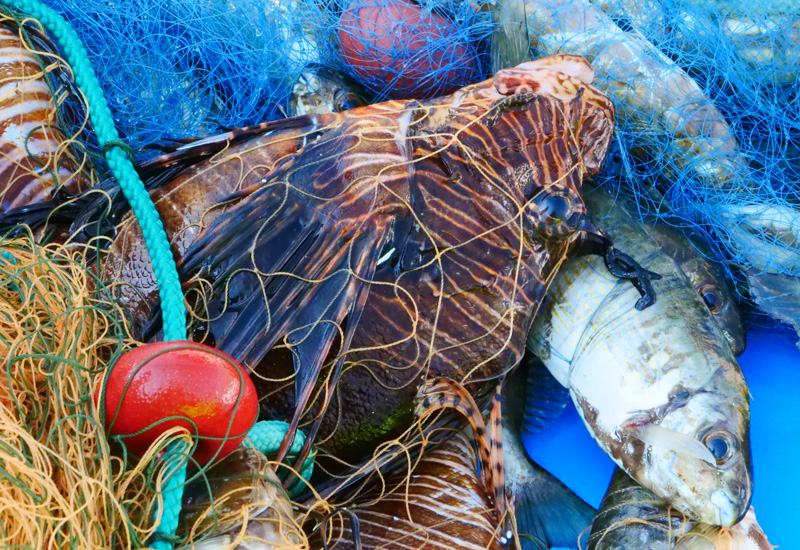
{"points": [[164, 268]]}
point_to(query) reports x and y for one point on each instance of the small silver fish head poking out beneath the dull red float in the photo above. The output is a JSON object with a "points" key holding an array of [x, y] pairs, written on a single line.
{"points": [[322, 90]]}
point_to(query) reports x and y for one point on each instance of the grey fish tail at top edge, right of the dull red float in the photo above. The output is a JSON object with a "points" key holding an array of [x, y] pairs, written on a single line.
{"points": [[510, 42]]}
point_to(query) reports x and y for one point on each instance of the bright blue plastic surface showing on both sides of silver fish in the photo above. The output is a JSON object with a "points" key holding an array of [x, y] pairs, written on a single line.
{"points": [[771, 365]]}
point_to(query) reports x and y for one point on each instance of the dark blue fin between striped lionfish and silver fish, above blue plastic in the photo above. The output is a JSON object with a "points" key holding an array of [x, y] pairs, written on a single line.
{"points": [[545, 398]]}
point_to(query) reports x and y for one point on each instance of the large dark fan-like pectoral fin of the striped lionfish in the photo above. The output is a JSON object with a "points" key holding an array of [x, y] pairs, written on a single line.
{"points": [[284, 275]]}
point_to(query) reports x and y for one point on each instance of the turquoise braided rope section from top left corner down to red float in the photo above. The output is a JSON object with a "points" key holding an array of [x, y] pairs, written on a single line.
{"points": [[172, 306]]}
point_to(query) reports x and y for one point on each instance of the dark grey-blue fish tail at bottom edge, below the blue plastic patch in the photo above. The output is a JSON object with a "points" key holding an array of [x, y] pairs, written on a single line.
{"points": [[548, 514]]}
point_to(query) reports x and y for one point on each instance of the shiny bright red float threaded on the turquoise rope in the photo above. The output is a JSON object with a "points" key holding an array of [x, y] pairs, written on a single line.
{"points": [[162, 385]]}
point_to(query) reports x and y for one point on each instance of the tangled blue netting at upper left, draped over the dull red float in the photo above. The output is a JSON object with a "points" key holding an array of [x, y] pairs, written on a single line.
{"points": [[186, 68]]}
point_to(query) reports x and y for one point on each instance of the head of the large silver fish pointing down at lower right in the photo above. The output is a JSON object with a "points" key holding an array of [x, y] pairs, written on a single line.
{"points": [[698, 454]]}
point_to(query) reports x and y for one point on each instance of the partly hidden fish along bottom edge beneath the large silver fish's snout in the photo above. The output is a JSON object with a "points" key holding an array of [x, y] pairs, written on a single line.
{"points": [[633, 518]]}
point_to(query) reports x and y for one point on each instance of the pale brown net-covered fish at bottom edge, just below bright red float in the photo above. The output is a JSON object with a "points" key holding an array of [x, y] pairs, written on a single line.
{"points": [[239, 493]]}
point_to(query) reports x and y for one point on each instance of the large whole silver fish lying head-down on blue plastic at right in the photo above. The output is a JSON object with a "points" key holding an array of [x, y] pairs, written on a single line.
{"points": [[659, 389]]}
